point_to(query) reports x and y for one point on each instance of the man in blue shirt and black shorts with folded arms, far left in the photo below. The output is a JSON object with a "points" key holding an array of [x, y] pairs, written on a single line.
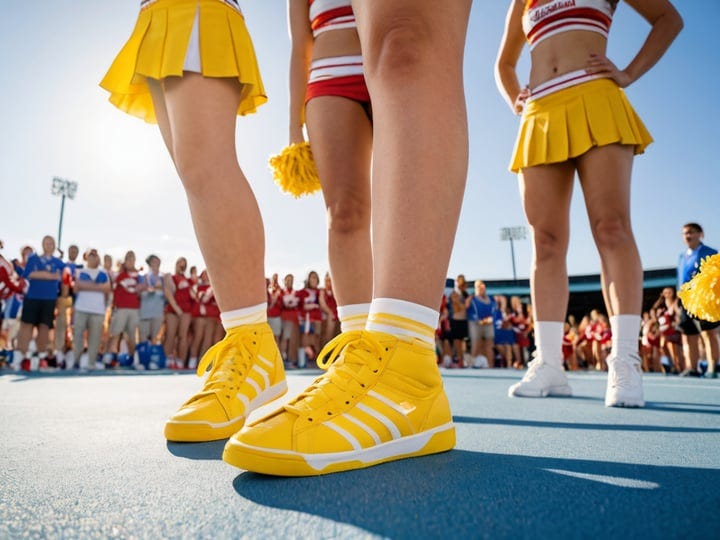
{"points": [[43, 273]]}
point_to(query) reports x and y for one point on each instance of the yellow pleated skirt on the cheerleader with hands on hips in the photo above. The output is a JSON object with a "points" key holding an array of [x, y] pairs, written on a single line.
{"points": [[569, 122]]}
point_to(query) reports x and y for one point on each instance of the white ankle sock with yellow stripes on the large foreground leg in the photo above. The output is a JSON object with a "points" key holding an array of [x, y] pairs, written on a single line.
{"points": [[403, 319]]}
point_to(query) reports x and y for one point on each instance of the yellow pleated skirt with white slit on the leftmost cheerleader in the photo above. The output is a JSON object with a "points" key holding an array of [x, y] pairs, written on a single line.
{"points": [[158, 46]]}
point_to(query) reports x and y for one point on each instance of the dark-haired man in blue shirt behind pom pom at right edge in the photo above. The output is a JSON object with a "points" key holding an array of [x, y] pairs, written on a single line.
{"points": [[691, 327]]}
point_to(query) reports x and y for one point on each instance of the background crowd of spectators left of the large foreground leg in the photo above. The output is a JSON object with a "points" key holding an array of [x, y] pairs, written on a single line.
{"points": [[86, 312]]}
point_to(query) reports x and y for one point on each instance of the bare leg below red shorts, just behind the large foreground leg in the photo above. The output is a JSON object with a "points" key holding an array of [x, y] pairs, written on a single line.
{"points": [[341, 137]]}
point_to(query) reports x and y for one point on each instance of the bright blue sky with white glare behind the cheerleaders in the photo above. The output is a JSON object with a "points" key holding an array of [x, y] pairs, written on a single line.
{"points": [[57, 121]]}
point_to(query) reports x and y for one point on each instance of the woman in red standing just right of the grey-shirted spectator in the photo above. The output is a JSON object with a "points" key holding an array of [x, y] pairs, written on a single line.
{"points": [[178, 315]]}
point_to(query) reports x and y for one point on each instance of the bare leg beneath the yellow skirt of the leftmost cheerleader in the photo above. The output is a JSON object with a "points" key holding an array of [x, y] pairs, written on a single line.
{"points": [[197, 119]]}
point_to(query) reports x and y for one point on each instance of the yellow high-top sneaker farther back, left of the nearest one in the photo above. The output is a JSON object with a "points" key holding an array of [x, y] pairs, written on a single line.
{"points": [[247, 372]]}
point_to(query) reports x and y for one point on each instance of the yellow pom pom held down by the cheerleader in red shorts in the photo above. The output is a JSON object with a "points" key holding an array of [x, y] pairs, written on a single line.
{"points": [[294, 170]]}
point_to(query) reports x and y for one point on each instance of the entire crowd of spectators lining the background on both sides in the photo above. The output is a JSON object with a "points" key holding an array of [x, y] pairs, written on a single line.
{"points": [[89, 313]]}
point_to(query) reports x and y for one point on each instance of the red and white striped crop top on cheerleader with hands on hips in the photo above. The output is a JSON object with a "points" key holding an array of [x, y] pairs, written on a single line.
{"points": [[545, 20]]}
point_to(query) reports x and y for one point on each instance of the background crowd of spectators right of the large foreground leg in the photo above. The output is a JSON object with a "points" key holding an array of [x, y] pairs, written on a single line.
{"points": [[480, 331]]}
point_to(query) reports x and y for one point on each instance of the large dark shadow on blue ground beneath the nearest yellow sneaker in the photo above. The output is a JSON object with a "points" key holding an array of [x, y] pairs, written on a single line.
{"points": [[476, 495]]}
